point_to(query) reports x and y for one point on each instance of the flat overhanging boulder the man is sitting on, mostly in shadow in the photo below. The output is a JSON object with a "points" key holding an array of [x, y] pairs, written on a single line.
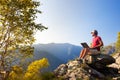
{"points": [[99, 60]]}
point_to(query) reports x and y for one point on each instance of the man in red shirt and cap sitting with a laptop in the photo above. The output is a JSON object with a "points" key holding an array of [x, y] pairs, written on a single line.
{"points": [[96, 44]]}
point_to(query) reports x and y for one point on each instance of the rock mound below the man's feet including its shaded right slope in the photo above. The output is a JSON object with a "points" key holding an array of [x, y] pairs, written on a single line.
{"points": [[76, 70]]}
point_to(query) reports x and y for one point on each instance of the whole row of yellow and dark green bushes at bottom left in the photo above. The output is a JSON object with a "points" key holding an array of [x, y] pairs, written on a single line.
{"points": [[32, 72]]}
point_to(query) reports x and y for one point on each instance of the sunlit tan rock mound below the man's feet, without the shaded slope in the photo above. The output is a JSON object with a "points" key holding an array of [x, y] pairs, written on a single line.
{"points": [[73, 71]]}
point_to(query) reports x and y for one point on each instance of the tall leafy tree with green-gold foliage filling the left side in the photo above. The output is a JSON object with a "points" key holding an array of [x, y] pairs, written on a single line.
{"points": [[17, 29]]}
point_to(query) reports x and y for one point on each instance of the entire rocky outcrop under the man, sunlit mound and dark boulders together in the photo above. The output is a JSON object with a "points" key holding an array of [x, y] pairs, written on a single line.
{"points": [[80, 70]]}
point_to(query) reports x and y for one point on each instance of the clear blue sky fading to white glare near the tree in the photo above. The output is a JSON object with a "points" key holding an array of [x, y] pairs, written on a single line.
{"points": [[71, 21]]}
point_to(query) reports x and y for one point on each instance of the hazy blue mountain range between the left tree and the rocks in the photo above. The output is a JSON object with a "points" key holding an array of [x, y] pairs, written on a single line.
{"points": [[56, 53]]}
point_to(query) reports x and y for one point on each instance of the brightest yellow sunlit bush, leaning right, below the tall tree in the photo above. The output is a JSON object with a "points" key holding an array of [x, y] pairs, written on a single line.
{"points": [[33, 72]]}
